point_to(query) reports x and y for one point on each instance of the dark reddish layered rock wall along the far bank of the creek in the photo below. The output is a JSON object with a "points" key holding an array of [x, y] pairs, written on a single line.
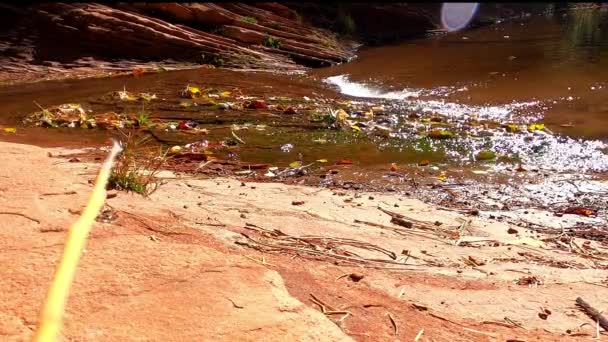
{"points": [[255, 35]]}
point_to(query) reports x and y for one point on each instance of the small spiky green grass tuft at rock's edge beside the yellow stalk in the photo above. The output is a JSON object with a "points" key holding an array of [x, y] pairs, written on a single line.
{"points": [[137, 166]]}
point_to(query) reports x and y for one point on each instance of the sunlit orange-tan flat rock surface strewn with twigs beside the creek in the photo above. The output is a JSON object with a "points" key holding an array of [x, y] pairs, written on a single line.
{"points": [[184, 264]]}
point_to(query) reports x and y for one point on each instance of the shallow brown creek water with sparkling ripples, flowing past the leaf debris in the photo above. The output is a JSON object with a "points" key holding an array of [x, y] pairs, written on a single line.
{"points": [[548, 70]]}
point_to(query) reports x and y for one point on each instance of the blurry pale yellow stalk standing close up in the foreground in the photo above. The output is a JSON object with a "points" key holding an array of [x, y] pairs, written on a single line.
{"points": [[52, 312]]}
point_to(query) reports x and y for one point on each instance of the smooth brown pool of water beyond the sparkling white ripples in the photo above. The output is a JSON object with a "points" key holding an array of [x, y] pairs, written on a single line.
{"points": [[560, 61]]}
